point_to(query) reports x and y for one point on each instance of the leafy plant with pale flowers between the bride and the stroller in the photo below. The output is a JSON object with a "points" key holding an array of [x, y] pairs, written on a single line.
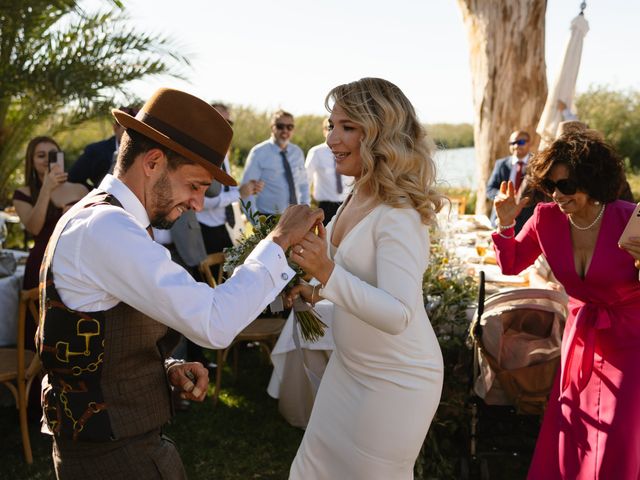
{"points": [[448, 292]]}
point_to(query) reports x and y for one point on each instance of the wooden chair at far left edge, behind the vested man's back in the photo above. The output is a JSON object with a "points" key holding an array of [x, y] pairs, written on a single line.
{"points": [[18, 367]]}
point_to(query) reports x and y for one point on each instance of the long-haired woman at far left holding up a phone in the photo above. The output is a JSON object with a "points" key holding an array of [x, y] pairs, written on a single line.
{"points": [[41, 202]]}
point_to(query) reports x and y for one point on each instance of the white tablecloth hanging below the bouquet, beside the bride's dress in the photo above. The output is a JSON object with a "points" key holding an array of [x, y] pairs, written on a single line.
{"points": [[289, 382]]}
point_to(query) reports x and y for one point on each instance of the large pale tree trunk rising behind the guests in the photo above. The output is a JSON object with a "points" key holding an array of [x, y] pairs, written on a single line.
{"points": [[506, 42]]}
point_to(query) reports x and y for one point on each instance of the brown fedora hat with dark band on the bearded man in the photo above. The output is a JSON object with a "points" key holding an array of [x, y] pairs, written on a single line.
{"points": [[185, 124]]}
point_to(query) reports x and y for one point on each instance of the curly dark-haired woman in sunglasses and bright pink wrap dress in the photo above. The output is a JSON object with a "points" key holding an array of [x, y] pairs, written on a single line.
{"points": [[591, 428]]}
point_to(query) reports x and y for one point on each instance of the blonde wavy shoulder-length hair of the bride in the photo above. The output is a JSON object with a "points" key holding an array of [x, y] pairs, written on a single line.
{"points": [[397, 155]]}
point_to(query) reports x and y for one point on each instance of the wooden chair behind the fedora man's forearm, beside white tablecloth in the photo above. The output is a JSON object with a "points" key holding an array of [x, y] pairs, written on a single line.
{"points": [[264, 331]]}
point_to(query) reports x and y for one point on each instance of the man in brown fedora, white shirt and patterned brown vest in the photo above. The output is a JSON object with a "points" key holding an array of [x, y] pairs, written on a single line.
{"points": [[113, 302]]}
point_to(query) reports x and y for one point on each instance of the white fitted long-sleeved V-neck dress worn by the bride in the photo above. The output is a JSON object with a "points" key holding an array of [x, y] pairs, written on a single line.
{"points": [[383, 382]]}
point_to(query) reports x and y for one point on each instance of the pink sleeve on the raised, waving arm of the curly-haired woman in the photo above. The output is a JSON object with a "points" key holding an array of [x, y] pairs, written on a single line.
{"points": [[519, 252]]}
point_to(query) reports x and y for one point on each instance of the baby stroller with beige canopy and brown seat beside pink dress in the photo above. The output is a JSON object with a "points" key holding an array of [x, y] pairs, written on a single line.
{"points": [[516, 337]]}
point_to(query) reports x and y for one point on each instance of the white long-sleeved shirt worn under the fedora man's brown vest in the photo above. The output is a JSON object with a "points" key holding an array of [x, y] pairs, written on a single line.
{"points": [[105, 256]]}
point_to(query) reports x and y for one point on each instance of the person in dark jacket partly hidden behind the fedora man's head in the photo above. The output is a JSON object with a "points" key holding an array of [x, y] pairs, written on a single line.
{"points": [[99, 158]]}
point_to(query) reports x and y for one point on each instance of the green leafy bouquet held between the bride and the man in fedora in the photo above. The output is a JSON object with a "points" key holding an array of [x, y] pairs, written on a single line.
{"points": [[311, 327]]}
